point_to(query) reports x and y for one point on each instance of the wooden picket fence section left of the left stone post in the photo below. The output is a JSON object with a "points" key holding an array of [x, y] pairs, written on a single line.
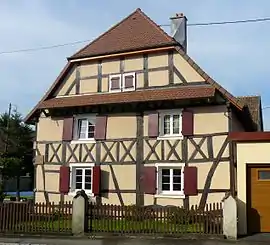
{"points": [[24, 217]]}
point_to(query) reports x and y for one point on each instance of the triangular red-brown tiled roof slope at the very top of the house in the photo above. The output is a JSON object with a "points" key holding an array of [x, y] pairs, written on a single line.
{"points": [[135, 32]]}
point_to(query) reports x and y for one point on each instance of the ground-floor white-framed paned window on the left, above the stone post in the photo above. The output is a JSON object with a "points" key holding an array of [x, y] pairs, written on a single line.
{"points": [[81, 178]]}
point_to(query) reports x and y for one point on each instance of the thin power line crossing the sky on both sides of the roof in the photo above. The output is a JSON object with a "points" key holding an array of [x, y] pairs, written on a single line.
{"points": [[83, 41]]}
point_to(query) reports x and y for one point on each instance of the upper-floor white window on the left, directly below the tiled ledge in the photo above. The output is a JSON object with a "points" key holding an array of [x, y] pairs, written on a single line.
{"points": [[84, 127]]}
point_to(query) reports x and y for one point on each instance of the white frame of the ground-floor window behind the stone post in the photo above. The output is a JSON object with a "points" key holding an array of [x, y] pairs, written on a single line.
{"points": [[73, 167]]}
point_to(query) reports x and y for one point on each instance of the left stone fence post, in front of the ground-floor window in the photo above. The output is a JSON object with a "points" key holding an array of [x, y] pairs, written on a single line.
{"points": [[79, 213]]}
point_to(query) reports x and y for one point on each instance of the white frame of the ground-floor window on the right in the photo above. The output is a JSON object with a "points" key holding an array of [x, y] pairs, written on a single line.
{"points": [[171, 193]]}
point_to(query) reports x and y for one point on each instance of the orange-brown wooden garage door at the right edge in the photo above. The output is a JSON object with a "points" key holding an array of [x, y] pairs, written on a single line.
{"points": [[258, 199]]}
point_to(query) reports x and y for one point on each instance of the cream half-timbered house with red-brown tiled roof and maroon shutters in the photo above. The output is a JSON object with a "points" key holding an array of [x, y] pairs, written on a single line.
{"points": [[132, 119]]}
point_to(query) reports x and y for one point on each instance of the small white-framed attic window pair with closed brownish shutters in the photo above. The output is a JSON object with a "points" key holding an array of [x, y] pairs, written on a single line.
{"points": [[122, 83]]}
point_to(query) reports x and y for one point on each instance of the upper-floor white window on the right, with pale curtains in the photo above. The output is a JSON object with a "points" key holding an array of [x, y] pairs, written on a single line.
{"points": [[170, 123]]}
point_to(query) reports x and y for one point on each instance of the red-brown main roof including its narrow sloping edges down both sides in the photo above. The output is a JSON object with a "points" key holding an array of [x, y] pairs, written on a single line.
{"points": [[121, 38]]}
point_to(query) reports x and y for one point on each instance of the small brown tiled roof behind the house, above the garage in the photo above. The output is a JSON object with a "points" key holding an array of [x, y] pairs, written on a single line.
{"points": [[253, 104]]}
